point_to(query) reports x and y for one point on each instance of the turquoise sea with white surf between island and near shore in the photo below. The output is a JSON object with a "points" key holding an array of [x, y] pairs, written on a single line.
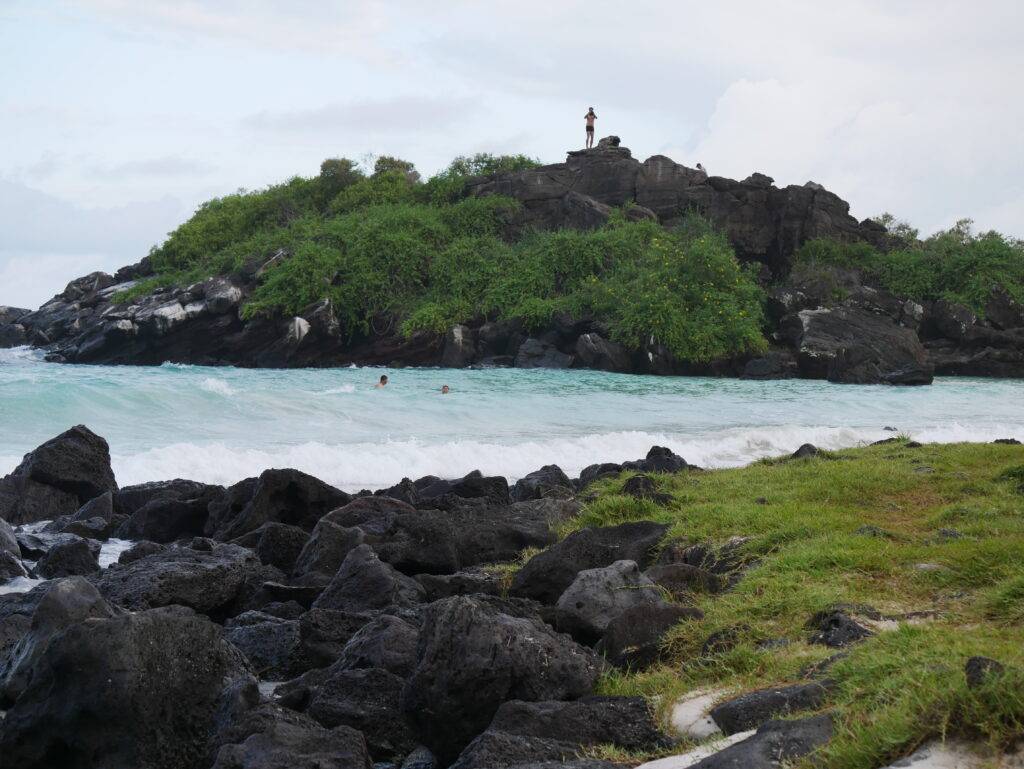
{"points": [[221, 425]]}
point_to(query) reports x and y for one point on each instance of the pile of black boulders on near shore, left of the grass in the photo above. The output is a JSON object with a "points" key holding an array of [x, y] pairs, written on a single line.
{"points": [[393, 637]]}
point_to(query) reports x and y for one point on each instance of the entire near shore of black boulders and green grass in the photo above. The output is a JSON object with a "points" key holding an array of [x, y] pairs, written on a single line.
{"points": [[845, 609]]}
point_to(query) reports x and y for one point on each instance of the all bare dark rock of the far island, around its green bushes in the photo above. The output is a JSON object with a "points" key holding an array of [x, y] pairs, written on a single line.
{"points": [[824, 326]]}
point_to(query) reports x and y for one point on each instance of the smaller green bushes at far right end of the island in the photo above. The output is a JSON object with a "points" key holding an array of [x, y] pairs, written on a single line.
{"points": [[956, 265]]}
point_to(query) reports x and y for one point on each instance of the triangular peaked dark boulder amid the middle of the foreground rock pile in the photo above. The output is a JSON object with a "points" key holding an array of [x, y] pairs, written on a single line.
{"points": [[364, 583]]}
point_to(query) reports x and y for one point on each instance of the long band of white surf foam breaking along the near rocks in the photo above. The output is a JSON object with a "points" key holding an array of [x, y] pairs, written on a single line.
{"points": [[376, 465]]}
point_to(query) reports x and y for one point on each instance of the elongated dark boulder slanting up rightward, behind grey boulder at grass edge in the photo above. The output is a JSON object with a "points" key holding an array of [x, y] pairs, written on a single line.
{"points": [[547, 575]]}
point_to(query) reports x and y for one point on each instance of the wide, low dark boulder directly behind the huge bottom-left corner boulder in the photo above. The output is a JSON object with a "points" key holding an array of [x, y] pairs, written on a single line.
{"points": [[209, 582]]}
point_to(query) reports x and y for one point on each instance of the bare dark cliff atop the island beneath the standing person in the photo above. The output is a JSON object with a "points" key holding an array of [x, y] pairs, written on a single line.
{"points": [[765, 224]]}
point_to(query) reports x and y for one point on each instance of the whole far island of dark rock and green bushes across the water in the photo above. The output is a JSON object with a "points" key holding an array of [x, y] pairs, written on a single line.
{"points": [[511, 264]]}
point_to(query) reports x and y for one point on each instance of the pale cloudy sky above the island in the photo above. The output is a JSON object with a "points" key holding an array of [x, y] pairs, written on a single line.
{"points": [[119, 117]]}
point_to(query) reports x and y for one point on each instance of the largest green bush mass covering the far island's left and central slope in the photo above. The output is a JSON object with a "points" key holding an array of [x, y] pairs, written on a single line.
{"points": [[386, 248]]}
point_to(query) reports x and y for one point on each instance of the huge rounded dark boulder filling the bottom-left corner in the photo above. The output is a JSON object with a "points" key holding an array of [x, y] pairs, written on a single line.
{"points": [[142, 690]]}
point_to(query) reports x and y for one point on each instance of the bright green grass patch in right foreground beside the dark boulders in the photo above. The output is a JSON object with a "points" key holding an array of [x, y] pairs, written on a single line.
{"points": [[901, 688]]}
